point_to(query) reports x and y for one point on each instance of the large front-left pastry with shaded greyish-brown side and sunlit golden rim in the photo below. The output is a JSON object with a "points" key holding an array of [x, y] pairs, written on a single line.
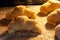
{"points": [[23, 23]]}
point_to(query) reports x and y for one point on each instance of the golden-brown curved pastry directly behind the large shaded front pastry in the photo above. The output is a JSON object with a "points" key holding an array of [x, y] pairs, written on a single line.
{"points": [[19, 11]]}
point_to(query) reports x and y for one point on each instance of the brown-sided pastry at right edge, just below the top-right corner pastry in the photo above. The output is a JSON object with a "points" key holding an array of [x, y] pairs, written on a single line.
{"points": [[54, 17]]}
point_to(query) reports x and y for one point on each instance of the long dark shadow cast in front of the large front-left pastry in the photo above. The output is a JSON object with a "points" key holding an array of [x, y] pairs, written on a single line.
{"points": [[19, 35]]}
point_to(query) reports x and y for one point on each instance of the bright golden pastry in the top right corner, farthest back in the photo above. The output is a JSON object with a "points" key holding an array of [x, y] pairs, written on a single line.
{"points": [[49, 6]]}
